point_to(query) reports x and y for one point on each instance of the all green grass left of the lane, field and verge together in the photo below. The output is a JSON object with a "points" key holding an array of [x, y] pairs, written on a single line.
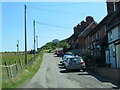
{"points": [[23, 74]]}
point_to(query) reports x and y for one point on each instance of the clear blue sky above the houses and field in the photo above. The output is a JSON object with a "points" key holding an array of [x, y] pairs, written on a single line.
{"points": [[66, 15]]}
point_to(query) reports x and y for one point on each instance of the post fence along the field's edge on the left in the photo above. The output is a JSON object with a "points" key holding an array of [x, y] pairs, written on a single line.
{"points": [[10, 71]]}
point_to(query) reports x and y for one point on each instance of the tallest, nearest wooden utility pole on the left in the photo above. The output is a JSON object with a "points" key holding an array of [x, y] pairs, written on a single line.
{"points": [[25, 7]]}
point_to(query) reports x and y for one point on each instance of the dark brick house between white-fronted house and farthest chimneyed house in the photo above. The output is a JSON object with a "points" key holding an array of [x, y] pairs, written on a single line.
{"points": [[98, 42]]}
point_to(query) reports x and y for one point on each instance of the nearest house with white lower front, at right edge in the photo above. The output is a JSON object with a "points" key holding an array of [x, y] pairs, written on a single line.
{"points": [[113, 32]]}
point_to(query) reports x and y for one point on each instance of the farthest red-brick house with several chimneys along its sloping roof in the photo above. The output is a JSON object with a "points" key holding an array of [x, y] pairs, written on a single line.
{"points": [[78, 39]]}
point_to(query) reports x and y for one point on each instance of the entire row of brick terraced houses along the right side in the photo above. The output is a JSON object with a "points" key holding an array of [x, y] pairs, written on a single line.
{"points": [[101, 40]]}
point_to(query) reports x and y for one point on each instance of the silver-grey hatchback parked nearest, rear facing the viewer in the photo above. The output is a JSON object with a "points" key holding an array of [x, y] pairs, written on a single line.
{"points": [[75, 63]]}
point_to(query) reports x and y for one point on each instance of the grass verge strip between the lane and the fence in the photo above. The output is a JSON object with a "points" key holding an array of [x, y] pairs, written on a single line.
{"points": [[23, 75]]}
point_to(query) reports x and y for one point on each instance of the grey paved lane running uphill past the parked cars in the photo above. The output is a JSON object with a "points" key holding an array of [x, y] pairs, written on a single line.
{"points": [[52, 75]]}
